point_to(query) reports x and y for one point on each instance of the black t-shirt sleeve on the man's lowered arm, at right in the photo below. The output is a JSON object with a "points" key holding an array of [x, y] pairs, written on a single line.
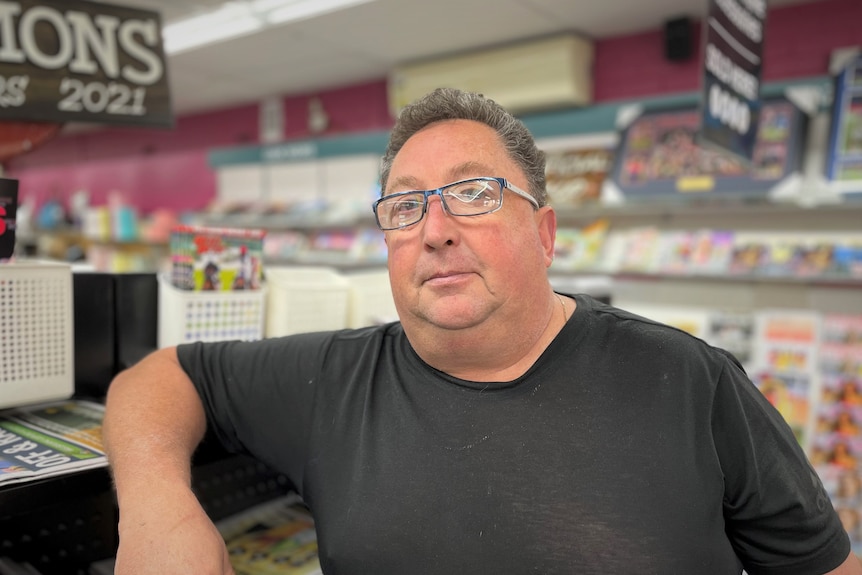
{"points": [[778, 515]]}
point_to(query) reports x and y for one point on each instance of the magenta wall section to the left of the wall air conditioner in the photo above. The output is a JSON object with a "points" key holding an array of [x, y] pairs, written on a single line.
{"points": [[157, 168]]}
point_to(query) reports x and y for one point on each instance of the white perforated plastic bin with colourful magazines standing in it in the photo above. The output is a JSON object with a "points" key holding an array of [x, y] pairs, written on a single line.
{"points": [[186, 316]]}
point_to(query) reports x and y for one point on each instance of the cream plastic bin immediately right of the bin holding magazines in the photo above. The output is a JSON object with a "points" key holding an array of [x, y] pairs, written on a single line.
{"points": [[304, 299]]}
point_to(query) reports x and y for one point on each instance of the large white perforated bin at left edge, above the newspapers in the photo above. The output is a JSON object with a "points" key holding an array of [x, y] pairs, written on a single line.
{"points": [[36, 332]]}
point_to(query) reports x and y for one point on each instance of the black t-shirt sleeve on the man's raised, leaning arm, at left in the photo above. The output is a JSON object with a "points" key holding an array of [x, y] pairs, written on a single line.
{"points": [[258, 395]]}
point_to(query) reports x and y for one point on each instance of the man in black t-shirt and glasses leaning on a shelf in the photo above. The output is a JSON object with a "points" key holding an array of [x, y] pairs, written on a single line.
{"points": [[499, 427]]}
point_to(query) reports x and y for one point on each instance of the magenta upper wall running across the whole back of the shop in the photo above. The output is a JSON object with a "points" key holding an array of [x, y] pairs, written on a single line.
{"points": [[168, 168]]}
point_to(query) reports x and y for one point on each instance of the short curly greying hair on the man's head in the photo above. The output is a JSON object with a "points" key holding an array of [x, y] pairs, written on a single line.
{"points": [[453, 104]]}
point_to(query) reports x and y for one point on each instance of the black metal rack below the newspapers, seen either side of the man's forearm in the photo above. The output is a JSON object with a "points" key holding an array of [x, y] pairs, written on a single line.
{"points": [[62, 524]]}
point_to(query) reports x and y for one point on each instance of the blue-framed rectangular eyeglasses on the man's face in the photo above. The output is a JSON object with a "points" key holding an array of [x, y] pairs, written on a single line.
{"points": [[472, 197]]}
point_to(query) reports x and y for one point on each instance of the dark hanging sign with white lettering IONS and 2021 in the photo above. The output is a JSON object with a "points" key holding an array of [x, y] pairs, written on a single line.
{"points": [[76, 61]]}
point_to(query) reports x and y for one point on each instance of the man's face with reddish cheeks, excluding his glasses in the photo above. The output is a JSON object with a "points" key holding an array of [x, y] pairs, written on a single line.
{"points": [[455, 272]]}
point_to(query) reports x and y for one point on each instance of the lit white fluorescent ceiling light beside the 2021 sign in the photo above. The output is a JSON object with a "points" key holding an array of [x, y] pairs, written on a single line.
{"points": [[238, 18]]}
